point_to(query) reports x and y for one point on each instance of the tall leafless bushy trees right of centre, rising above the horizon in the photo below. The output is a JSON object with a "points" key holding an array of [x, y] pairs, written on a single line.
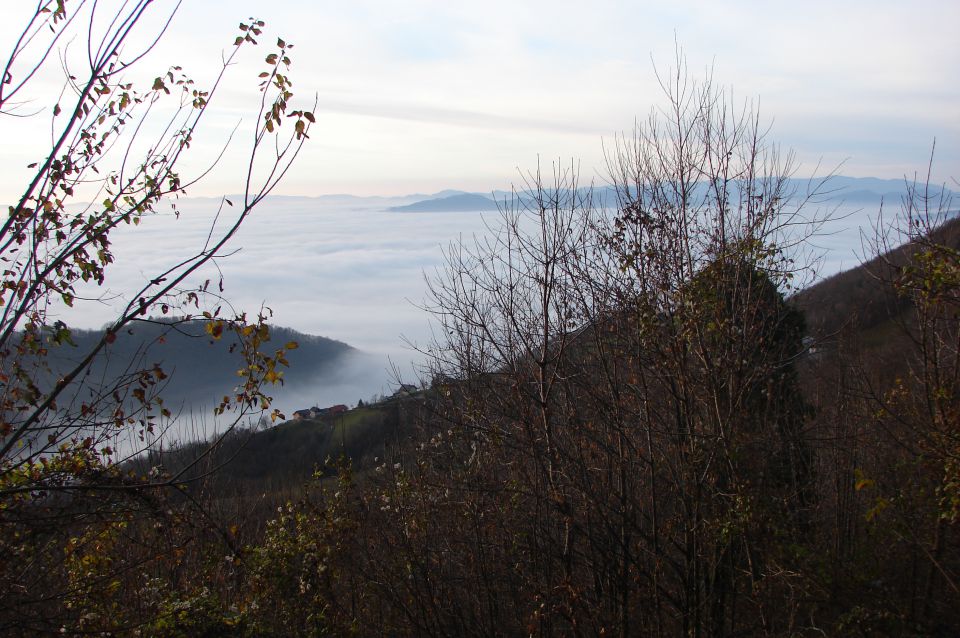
{"points": [[622, 372]]}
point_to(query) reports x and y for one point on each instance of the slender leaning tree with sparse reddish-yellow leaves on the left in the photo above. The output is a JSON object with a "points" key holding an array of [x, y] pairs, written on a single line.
{"points": [[119, 147]]}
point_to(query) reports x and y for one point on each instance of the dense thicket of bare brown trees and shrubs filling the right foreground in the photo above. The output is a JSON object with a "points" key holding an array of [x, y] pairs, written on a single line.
{"points": [[631, 429]]}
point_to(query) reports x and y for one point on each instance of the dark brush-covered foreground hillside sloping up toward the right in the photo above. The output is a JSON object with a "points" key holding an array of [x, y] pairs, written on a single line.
{"points": [[611, 480]]}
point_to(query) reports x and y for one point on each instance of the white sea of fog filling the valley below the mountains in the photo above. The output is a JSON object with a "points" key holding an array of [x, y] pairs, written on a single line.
{"points": [[350, 269]]}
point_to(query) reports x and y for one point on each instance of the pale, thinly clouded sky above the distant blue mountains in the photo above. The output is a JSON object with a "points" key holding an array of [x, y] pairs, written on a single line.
{"points": [[419, 96]]}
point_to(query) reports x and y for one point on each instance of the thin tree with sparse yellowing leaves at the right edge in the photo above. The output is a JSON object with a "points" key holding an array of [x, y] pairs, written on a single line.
{"points": [[907, 480]]}
